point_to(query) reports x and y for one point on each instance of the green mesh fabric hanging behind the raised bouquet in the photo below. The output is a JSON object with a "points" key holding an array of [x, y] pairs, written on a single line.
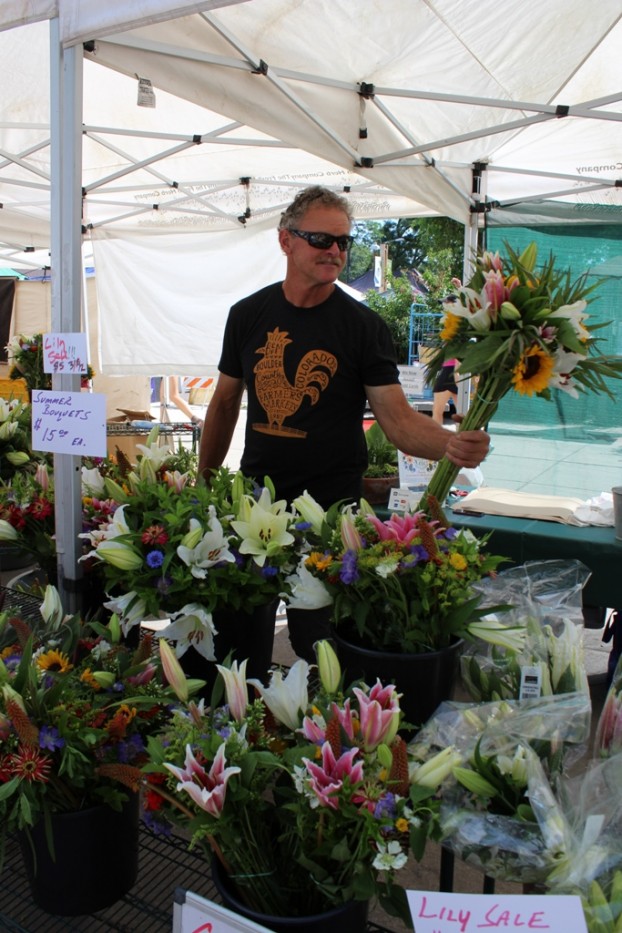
{"points": [[590, 418]]}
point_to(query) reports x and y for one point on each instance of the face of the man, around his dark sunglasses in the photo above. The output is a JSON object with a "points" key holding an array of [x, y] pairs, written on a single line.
{"points": [[307, 264]]}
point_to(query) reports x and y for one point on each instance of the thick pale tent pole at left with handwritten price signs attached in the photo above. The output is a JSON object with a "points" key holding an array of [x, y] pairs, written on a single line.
{"points": [[66, 282]]}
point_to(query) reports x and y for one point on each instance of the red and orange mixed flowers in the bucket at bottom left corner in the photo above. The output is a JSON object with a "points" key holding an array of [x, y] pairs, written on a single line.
{"points": [[76, 707]]}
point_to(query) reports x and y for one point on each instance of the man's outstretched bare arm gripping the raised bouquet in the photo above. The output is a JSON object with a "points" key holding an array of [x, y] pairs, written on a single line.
{"points": [[418, 435]]}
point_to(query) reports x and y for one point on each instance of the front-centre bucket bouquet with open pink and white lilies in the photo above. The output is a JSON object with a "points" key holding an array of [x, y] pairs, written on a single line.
{"points": [[307, 801]]}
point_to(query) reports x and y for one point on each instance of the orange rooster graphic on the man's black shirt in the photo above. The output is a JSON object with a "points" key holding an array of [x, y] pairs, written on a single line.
{"points": [[276, 394]]}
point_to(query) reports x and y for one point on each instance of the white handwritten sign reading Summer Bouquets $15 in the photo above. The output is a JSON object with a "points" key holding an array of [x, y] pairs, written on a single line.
{"points": [[69, 422]]}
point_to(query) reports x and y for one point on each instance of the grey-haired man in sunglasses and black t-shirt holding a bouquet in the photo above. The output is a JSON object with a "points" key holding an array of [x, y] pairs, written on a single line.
{"points": [[310, 357]]}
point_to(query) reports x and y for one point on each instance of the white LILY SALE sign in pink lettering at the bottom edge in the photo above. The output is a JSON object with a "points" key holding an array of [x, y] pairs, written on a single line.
{"points": [[438, 912]]}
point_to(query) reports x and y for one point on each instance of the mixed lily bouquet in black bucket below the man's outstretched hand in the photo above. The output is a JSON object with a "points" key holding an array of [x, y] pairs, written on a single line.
{"points": [[405, 584]]}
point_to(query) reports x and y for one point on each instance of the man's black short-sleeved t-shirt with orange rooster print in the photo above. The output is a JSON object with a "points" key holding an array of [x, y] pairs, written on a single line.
{"points": [[305, 370]]}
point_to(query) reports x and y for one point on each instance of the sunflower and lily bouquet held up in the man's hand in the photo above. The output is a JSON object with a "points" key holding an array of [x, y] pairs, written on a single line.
{"points": [[518, 327]]}
